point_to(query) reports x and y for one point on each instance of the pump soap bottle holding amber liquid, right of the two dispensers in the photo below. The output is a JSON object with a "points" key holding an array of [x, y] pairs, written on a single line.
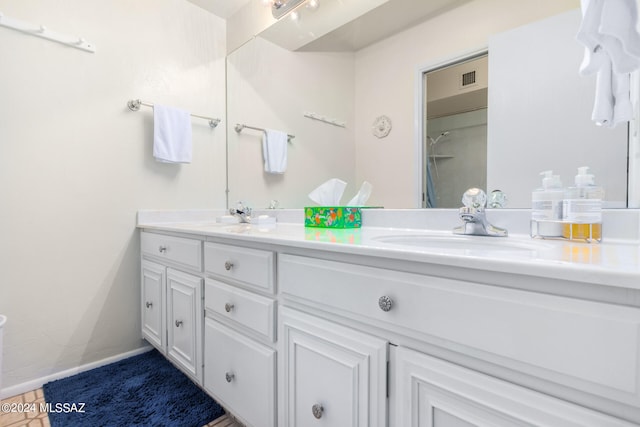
{"points": [[582, 209]]}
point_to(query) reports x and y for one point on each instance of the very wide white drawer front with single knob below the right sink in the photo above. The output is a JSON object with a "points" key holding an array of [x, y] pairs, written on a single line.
{"points": [[561, 339]]}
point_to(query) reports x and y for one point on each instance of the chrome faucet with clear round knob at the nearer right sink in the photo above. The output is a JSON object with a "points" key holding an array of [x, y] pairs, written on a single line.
{"points": [[473, 216]]}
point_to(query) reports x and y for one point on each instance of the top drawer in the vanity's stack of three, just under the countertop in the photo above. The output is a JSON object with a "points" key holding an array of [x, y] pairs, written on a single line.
{"points": [[247, 266]]}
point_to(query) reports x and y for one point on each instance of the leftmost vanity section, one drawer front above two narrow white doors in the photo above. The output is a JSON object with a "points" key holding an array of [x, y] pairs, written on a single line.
{"points": [[171, 296]]}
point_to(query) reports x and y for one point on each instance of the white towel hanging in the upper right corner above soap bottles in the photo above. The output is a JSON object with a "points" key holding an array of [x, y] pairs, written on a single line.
{"points": [[612, 50]]}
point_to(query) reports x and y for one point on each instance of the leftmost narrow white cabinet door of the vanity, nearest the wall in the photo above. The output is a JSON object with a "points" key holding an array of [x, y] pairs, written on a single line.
{"points": [[153, 304]]}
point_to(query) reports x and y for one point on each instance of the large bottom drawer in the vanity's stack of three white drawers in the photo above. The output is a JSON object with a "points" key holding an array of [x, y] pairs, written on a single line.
{"points": [[240, 374]]}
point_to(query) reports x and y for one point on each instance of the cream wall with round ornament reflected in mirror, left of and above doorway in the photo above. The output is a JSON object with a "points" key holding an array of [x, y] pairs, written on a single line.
{"points": [[386, 77]]}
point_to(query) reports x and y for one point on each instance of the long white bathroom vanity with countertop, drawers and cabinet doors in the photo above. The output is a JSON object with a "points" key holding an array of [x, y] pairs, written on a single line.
{"points": [[292, 326]]}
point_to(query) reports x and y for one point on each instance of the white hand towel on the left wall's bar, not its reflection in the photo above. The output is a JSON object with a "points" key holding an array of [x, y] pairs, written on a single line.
{"points": [[171, 135]]}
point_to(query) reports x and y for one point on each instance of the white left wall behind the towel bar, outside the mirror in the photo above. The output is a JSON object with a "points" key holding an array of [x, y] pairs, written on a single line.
{"points": [[76, 165]]}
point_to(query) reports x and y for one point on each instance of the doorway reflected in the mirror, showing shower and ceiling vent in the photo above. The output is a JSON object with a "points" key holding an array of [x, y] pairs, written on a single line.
{"points": [[454, 143]]}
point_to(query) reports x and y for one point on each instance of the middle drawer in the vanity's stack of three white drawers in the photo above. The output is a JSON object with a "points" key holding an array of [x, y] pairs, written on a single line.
{"points": [[241, 307]]}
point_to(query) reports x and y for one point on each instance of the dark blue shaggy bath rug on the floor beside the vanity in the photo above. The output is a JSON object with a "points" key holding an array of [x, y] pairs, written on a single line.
{"points": [[143, 390]]}
